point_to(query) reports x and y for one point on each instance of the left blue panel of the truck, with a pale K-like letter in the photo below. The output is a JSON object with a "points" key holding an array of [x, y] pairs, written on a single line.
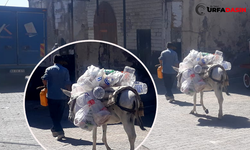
{"points": [[8, 53]]}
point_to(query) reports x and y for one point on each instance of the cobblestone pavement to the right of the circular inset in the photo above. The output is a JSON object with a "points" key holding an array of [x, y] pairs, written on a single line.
{"points": [[176, 129]]}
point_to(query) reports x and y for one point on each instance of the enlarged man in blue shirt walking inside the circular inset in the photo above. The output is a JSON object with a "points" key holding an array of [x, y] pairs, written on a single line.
{"points": [[55, 78]]}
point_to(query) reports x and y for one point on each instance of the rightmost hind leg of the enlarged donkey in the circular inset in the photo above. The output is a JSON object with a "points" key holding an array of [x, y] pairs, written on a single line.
{"points": [[128, 125]]}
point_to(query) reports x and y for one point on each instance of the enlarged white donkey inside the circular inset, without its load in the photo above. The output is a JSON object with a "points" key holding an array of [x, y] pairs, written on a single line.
{"points": [[125, 111]]}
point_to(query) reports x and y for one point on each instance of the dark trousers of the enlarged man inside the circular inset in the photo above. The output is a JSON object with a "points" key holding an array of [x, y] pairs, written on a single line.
{"points": [[56, 109]]}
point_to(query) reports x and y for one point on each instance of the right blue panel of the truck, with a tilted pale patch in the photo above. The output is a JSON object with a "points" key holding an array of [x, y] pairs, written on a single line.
{"points": [[31, 37]]}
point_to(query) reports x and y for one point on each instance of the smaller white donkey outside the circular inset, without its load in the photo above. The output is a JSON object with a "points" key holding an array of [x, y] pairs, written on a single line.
{"points": [[216, 79]]}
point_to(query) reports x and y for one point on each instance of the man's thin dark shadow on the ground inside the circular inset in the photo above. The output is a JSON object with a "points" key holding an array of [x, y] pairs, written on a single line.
{"points": [[77, 142]]}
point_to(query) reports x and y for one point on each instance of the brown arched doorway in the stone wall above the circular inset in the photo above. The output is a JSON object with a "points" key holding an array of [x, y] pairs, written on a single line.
{"points": [[105, 27]]}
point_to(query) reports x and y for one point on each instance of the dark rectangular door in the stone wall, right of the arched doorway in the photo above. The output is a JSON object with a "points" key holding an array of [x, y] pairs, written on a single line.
{"points": [[144, 45]]}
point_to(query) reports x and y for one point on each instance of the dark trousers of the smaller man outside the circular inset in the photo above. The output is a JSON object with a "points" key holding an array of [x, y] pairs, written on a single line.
{"points": [[168, 82]]}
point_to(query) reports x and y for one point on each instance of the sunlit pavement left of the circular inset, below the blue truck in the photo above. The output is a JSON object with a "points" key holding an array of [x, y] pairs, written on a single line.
{"points": [[14, 132]]}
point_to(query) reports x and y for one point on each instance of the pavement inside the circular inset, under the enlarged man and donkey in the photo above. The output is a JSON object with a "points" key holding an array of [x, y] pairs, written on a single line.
{"points": [[77, 138]]}
